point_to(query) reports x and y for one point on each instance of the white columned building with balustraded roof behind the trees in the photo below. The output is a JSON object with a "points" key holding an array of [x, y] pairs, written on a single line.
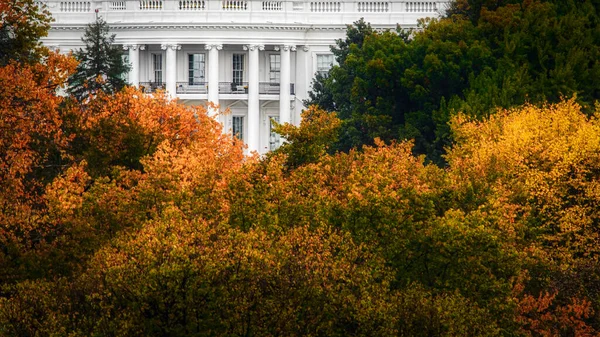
{"points": [[256, 58]]}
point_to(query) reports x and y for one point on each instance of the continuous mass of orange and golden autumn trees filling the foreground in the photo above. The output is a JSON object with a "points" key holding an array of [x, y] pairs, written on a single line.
{"points": [[129, 215]]}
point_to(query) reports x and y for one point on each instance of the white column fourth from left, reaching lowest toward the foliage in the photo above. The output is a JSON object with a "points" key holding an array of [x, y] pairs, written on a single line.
{"points": [[253, 139]]}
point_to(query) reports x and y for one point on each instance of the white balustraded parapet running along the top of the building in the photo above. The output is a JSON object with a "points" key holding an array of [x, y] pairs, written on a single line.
{"points": [[298, 13]]}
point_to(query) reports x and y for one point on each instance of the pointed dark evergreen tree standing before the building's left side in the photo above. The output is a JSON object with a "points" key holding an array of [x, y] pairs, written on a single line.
{"points": [[101, 66]]}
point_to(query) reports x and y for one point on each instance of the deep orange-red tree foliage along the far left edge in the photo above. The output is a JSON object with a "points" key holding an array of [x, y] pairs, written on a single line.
{"points": [[30, 134]]}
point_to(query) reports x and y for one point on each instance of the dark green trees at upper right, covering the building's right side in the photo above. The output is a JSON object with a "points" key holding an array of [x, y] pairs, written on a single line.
{"points": [[483, 55]]}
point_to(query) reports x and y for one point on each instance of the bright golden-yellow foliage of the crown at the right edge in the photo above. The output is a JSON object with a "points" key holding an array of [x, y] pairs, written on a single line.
{"points": [[542, 164]]}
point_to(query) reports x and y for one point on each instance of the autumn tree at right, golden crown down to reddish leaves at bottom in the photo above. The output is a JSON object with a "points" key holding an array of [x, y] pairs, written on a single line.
{"points": [[538, 166]]}
